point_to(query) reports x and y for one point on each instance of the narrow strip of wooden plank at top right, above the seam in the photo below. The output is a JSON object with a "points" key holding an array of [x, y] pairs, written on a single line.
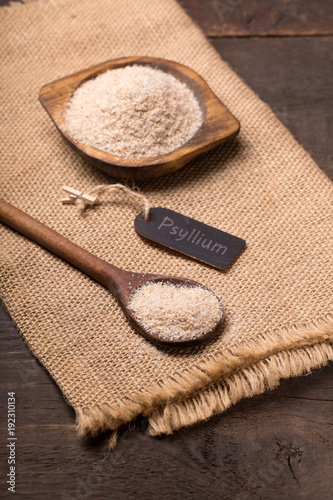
{"points": [[227, 18]]}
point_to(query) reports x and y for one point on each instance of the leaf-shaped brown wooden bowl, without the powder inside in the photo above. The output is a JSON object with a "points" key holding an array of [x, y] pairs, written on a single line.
{"points": [[218, 125]]}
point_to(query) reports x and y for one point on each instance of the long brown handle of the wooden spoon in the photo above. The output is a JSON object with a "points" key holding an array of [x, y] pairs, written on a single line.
{"points": [[106, 274]]}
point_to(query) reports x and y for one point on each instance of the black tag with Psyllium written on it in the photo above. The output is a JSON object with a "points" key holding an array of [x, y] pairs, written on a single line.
{"points": [[189, 237]]}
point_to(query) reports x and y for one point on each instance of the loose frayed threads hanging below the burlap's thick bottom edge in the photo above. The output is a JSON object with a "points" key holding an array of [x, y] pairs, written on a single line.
{"points": [[264, 375]]}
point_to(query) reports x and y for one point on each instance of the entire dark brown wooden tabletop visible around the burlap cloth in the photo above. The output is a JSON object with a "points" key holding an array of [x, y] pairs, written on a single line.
{"points": [[275, 446]]}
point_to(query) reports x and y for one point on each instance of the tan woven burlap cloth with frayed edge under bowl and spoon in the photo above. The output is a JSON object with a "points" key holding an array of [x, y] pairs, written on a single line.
{"points": [[263, 187]]}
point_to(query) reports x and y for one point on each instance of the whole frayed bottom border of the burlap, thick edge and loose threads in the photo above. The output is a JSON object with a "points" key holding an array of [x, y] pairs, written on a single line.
{"points": [[253, 368]]}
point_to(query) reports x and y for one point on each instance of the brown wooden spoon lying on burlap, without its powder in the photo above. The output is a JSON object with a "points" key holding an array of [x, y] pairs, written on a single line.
{"points": [[120, 282]]}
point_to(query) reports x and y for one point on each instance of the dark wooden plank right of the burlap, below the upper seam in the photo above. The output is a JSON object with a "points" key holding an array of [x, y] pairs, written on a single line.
{"points": [[293, 76]]}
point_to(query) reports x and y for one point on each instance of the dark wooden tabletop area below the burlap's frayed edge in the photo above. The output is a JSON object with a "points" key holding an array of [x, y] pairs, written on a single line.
{"points": [[278, 445]]}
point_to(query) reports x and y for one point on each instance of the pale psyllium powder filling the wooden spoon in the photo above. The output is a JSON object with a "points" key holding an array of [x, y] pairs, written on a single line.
{"points": [[175, 312]]}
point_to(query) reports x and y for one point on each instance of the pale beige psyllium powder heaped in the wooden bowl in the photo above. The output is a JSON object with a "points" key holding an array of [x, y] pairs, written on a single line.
{"points": [[133, 112]]}
